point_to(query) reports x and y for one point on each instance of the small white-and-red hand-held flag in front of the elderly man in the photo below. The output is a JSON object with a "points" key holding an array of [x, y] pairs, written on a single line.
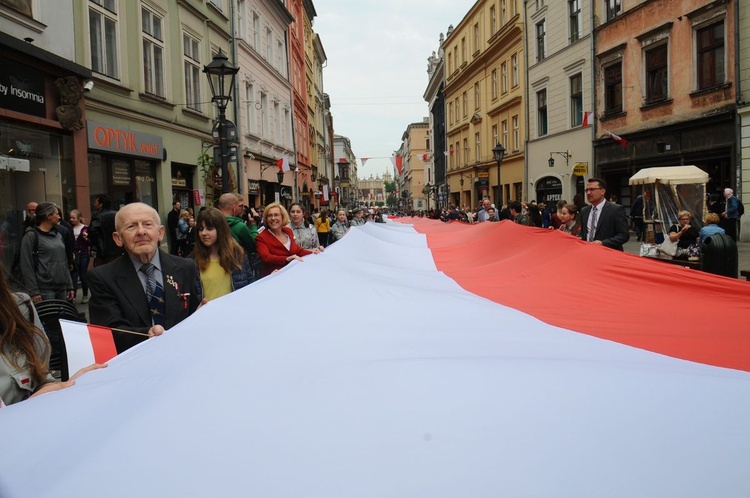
{"points": [[87, 344]]}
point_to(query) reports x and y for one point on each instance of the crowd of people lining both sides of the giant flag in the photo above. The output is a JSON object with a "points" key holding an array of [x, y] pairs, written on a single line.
{"points": [[135, 286]]}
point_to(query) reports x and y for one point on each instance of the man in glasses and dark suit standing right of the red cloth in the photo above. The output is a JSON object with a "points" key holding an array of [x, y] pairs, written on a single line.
{"points": [[603, 222]]}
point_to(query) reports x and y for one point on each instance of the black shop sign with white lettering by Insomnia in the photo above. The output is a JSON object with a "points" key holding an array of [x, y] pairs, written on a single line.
{"points": [[22, 89]]}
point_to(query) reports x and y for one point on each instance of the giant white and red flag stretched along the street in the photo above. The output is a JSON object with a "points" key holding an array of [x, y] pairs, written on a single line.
{"points": [[435, 360]]}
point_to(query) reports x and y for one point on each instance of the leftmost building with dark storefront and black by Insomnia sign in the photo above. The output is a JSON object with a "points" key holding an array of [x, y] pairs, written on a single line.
{"points": [[43, 151]]}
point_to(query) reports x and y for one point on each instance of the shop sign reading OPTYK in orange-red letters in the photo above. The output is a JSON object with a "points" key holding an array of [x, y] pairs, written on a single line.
{"points": [[133, 143]]}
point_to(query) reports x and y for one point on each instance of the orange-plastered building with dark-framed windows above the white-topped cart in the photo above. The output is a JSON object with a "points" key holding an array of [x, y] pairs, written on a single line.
{"points": [[666, 83]]}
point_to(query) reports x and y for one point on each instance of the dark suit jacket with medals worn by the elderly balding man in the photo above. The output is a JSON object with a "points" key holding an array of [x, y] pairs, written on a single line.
{"points": [[119, 301]]}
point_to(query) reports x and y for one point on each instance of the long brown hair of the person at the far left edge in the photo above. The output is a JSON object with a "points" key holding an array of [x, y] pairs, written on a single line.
{"points": [[19, 335]]}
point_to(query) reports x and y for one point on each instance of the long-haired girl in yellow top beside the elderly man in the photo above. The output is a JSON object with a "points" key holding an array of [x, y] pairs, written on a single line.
{"points": [[223, 265]]}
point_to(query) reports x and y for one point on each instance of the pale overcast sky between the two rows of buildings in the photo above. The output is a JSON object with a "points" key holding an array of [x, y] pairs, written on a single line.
{"points": [[376, 73]]}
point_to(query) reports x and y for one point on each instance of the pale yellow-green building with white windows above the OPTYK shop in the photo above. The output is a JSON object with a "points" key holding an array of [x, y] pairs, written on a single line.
{"points": [[149, 115]]}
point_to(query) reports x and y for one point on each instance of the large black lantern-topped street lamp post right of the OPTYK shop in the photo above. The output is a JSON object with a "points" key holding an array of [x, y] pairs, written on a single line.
{"points": [[221, 74]]}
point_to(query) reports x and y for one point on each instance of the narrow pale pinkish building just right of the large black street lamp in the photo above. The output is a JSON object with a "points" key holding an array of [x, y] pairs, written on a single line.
{"points": [[265, 97]]}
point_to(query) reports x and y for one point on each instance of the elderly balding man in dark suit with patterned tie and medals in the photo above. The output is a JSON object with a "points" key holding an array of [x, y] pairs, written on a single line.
{"points": [[145, 290]]}
